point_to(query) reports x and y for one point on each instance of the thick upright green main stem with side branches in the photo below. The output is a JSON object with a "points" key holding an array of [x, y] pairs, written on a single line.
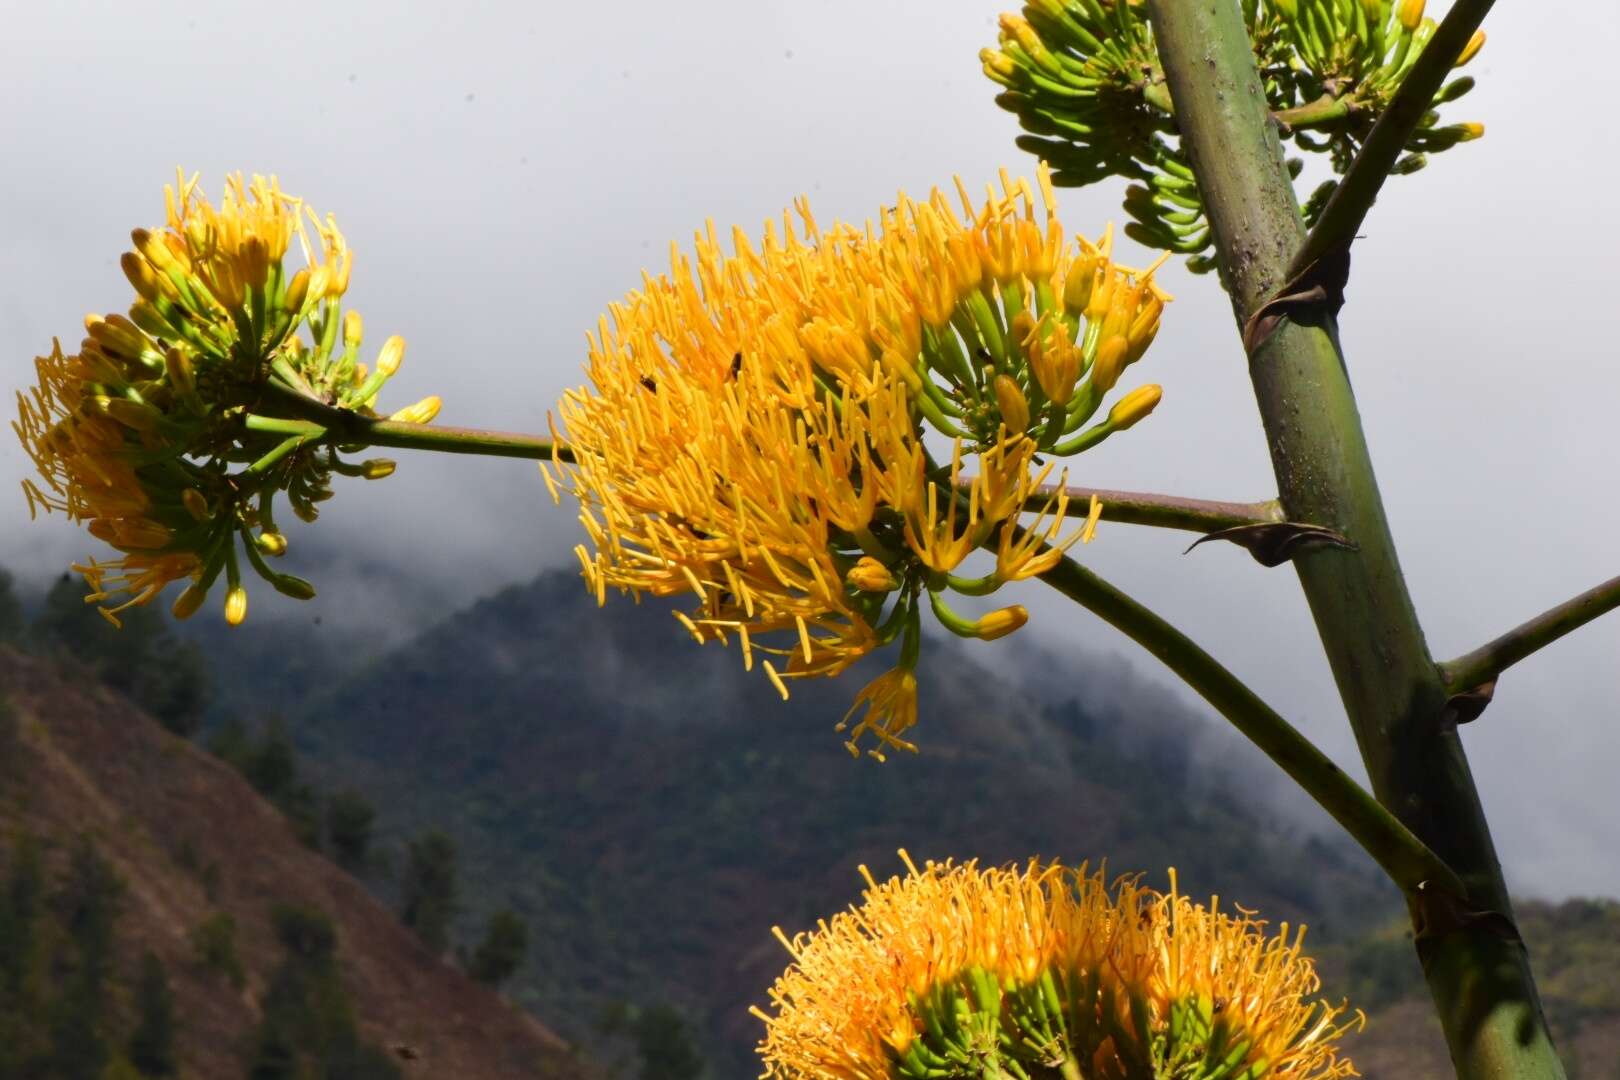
{"points": [[1391, 686]]}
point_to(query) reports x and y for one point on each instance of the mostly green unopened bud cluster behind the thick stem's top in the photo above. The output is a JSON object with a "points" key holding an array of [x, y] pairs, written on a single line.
{"points": [[1085, 80]]}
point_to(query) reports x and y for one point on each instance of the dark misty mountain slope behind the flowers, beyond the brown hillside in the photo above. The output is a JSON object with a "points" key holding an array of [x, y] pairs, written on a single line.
{"points": [[654, 810]]}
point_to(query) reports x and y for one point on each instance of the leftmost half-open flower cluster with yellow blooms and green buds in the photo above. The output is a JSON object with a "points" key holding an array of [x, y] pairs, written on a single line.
{"points": [[174, 430]]}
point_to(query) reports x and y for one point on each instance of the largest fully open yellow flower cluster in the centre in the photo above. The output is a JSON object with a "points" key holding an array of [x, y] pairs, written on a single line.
{"points": [[754, 428]]}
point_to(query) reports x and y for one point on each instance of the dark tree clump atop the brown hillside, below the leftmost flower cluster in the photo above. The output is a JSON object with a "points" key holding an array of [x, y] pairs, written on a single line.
{"points": [[145, 660]]}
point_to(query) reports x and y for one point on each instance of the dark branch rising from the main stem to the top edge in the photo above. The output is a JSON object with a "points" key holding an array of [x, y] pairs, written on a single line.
{"points": [[1354, 198]]}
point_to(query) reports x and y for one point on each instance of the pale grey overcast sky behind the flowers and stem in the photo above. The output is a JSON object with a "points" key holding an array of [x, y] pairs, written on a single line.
{"points": [[506, 171]]}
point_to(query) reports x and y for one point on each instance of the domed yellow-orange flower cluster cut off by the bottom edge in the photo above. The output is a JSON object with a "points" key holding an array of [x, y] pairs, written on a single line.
{"points": [[965, 972]]}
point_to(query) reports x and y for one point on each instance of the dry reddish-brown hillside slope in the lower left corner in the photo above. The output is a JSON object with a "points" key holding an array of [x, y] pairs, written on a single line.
{"points": [[164, 814]]}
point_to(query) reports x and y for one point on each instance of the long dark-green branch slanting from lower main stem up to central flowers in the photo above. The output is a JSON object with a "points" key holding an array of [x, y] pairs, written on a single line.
{"points": [[1402, 856]]}
